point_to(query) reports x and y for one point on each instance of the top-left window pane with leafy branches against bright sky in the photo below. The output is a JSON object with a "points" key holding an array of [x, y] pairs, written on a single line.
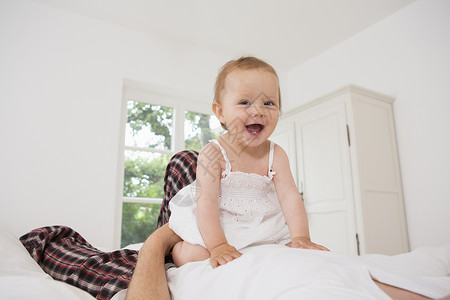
{"points": [[149, 126]]}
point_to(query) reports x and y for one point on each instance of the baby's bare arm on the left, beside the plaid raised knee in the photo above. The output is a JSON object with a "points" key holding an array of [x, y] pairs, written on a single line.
{"points": [[209, 172]]}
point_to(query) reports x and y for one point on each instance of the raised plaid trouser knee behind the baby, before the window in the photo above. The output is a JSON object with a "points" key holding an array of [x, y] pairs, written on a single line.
{"points": [[180, 171]]}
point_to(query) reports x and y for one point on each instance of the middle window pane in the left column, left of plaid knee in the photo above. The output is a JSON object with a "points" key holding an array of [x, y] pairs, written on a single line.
{"points": [[144, 174]]}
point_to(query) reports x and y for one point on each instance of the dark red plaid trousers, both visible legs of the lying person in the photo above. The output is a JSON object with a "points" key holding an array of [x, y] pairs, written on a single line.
{"points": [[67, 256]]}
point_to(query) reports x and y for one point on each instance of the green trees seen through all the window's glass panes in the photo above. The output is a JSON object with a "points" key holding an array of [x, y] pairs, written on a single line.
{"points": [[150, 127]]}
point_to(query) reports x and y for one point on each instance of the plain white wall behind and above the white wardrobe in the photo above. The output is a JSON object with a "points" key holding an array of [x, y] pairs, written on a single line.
{"points": [[406, 55]]}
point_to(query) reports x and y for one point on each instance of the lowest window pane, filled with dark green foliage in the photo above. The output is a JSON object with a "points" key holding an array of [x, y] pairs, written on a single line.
{"points": [[139, 220]]}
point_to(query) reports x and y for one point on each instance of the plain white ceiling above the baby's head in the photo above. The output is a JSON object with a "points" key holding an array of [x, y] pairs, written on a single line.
{"points": [[284, 32]]}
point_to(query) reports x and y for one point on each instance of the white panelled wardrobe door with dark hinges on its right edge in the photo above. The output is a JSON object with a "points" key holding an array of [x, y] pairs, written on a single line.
{"points": [[324, 175]]}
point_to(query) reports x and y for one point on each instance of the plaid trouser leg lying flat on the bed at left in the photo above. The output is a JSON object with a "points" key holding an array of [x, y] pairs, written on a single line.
{"points": [[67, 256]]}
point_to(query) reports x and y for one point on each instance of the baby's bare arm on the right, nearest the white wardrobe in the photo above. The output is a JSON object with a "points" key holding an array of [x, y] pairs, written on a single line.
{"points": [[291, 203]]}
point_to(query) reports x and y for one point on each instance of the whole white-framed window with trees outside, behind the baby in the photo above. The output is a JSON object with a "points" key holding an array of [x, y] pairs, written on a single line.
{"points": [[154, 129]]}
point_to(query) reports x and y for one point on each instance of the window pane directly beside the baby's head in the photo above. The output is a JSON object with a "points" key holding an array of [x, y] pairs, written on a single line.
{"points": [[199, 129]]}
